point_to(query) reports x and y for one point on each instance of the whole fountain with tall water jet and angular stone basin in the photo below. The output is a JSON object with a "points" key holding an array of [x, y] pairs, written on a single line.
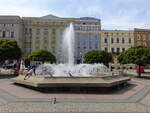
{"points": [[70, 74]]}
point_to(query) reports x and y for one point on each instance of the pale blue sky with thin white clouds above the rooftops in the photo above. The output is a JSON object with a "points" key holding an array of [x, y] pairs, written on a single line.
{"points": [[114, 14]]}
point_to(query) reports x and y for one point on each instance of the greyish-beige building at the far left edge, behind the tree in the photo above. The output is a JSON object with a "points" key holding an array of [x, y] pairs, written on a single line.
{"points": [[11, 29]]}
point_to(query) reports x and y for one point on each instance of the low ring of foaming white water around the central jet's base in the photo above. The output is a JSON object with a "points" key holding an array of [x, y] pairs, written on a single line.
{"points": [[82, 70]]}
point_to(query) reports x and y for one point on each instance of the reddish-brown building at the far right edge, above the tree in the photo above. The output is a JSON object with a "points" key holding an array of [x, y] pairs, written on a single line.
{"points": [[142, 37]]}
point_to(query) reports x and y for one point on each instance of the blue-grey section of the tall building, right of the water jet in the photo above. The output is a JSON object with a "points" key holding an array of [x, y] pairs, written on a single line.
{"points": [[87, 36]]}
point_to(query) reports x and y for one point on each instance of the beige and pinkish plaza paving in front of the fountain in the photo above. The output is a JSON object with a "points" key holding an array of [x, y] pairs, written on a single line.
{"points": [[134, 98]]}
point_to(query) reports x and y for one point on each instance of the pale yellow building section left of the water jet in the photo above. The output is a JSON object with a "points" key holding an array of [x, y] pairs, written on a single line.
{"points": [[43, 33]]}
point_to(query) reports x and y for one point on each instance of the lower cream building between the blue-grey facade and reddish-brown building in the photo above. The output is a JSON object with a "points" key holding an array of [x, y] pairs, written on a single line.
{"points": [[116, 41]]}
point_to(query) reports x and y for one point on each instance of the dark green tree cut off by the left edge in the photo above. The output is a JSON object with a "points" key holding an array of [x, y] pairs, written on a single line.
{"points": [[9, 50]]}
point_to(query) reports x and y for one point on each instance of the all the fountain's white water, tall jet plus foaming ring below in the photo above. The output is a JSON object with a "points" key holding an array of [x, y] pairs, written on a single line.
{"points": [[69, 69]]}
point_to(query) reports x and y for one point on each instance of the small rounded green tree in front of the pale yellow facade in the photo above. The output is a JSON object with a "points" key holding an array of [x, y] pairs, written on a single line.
{"points": [[42, 55]]}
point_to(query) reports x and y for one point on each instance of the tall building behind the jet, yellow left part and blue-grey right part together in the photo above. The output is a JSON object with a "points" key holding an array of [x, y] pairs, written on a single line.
{"points": [[47, 32]]}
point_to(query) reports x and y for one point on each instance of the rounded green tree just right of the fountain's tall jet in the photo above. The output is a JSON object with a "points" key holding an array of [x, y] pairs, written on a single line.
{"points": [[96, 56]]}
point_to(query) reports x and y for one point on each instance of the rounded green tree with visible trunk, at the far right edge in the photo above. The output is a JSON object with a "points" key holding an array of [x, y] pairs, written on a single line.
{"points": [[139, 55]]}
